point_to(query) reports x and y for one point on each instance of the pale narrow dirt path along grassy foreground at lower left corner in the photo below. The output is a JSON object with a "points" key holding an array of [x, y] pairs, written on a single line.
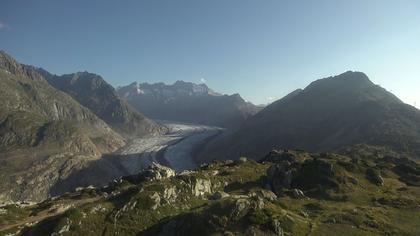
{"points": [[50, 212]]}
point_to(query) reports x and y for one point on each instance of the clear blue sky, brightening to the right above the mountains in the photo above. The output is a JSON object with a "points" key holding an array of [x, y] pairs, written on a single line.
{"points": [[260, 49]]}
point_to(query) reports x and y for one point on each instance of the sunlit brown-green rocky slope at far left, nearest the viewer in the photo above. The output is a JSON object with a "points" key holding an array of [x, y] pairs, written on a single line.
{"points": [[45, 135]]}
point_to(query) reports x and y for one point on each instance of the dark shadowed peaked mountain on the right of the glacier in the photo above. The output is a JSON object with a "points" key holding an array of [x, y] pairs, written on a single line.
{"points": [[329, 114]]}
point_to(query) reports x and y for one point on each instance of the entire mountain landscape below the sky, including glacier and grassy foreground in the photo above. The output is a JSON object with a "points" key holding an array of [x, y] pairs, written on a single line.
{"points": [[340, 156]]}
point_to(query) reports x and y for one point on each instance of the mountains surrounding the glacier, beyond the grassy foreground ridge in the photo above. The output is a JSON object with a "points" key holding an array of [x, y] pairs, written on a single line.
{"points": [[54, 126]]}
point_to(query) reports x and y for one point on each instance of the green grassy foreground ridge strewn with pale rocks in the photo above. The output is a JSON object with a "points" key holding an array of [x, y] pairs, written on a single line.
{"points": [[364, 191]]}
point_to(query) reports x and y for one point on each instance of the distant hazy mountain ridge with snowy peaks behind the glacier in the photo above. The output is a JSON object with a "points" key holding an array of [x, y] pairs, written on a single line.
{"points": [[188, 102]]}
